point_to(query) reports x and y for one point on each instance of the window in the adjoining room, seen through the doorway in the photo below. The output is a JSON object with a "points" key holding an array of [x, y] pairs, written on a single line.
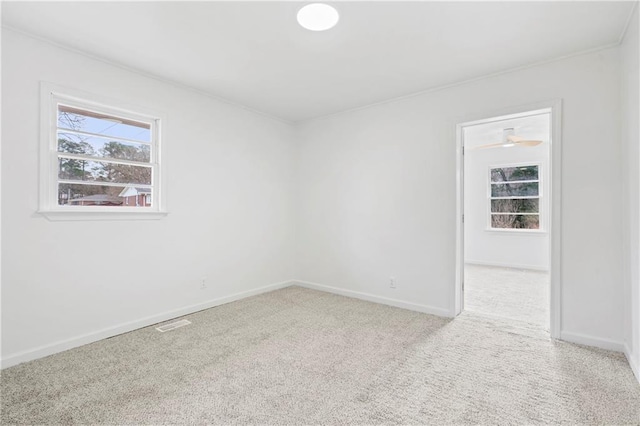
{"points": [[514, 197]]}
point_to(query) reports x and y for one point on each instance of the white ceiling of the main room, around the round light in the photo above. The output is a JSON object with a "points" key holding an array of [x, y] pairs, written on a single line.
{"points": [[255, 53]]}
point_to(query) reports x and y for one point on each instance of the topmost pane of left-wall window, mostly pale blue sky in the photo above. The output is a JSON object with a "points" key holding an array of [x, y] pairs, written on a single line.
{"points": [[103, 124]]}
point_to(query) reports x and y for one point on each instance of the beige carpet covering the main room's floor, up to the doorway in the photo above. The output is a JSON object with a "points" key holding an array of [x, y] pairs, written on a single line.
{"points": [[298, 356]]}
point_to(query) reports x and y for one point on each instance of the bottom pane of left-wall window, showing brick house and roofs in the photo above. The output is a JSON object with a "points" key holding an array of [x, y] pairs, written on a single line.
{"points": [[103, 196]]}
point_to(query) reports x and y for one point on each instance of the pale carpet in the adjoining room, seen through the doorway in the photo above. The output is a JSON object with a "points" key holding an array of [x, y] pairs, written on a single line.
{"points": [[518, 294]]}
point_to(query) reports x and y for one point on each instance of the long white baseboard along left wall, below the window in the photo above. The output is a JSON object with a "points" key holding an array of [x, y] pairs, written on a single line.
{"points": [[105, 333]]}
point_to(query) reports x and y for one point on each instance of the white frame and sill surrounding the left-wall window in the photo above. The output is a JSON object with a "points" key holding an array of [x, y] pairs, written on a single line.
{"points": [[53, 95]]}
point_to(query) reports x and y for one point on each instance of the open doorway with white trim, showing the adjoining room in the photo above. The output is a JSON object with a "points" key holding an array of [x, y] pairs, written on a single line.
{"points": [[508, 254]]}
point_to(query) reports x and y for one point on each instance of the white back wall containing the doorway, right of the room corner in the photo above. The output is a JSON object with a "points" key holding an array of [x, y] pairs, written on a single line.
{"points": [[377, 191]]}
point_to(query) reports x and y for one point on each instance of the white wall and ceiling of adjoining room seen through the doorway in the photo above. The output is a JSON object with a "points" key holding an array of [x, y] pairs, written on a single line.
{"points": [[511, 248]]}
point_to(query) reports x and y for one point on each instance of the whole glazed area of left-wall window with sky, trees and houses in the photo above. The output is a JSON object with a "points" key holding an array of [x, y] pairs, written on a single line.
{"points": [[103, 159]]}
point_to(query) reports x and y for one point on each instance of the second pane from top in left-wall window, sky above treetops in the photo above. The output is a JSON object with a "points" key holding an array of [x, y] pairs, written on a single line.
{"points": [[98, 147]]}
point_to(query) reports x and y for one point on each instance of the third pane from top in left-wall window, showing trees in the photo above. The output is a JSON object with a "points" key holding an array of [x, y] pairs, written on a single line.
{"points": [[103, 172]]}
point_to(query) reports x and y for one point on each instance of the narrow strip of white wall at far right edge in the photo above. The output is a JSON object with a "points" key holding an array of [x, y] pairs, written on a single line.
{"points": [[631, 198]]}
